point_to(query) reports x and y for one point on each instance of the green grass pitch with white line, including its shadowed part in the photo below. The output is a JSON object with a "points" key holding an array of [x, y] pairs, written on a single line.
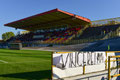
{"points": [[25, 65]]}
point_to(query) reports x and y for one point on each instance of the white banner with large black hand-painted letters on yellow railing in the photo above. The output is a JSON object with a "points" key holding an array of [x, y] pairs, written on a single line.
{"points": [[77, 59]]}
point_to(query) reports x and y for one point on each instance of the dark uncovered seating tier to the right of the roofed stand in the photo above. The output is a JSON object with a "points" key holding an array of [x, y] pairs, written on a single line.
{"points": [[96, 31]]}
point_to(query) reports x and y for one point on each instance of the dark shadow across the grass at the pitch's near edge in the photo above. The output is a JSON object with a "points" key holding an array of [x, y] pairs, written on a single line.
{"points": [[36, 75]]}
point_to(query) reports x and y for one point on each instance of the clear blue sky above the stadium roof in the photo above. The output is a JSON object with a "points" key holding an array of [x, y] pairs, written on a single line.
{"points": [[11, 10]]}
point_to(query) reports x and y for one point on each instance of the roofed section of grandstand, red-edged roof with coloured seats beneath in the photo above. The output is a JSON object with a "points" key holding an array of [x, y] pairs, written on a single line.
{"points": [[51, 27]]}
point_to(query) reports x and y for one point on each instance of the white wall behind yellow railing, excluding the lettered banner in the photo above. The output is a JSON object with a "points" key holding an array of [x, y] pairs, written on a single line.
{"points": [[68, 72]]}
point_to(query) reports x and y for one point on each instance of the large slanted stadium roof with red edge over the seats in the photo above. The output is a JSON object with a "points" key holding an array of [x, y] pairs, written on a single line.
{"points": [[49, 19]]}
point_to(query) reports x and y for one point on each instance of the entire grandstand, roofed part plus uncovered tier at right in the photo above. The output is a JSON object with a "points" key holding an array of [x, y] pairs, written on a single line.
{"points": [[59, 28]]}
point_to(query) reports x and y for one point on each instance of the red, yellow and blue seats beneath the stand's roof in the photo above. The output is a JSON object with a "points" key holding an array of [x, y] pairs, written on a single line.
{"points": [[47, 36]]}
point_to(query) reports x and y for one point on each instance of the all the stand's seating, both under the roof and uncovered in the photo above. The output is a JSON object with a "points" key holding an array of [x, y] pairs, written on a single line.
{"points": [[65, 34]]}
